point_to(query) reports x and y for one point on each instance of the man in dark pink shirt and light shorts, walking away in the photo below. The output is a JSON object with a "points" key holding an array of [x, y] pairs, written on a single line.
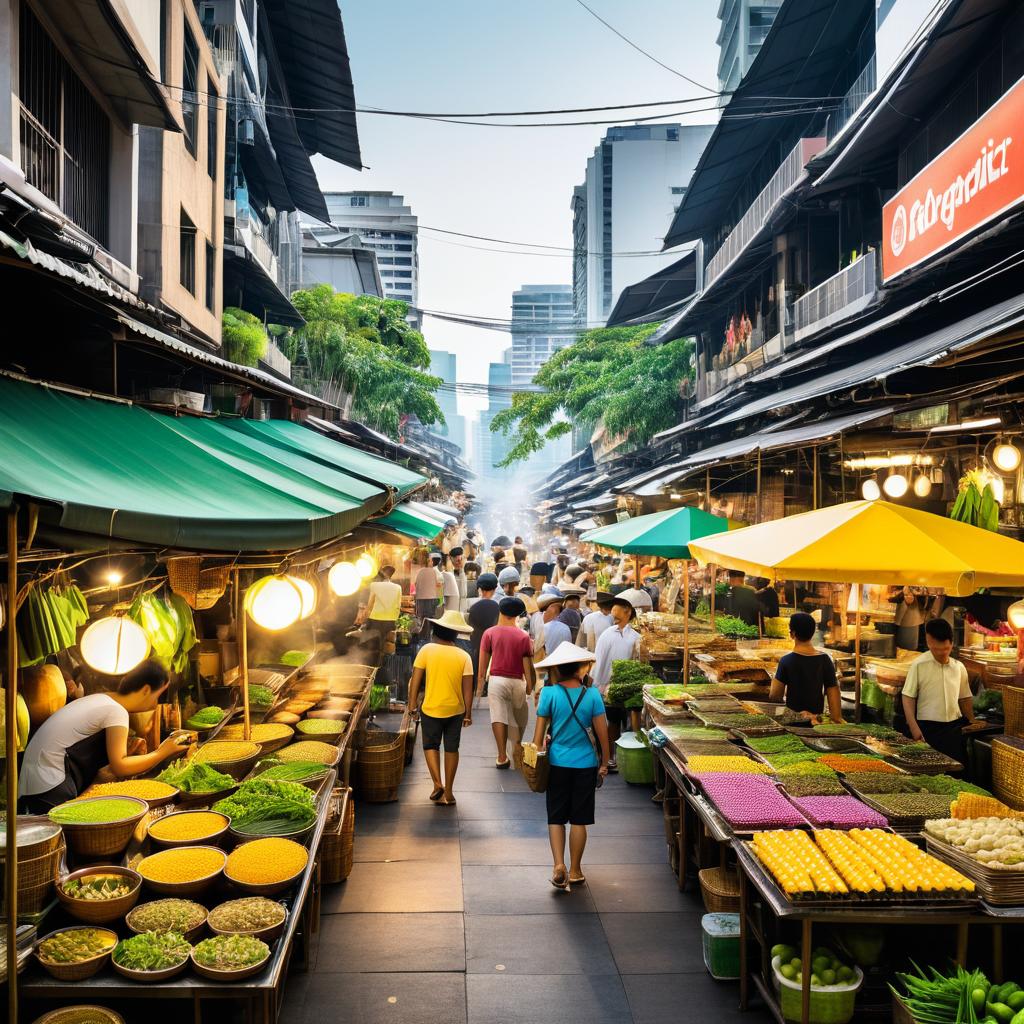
{"points": [[508, 653]]}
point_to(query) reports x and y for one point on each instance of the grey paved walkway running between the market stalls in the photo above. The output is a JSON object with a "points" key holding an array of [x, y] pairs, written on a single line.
{"points": [[449, 917]]}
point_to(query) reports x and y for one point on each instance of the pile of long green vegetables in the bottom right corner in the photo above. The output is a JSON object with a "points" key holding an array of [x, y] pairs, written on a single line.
{"points": [[960, 998]]}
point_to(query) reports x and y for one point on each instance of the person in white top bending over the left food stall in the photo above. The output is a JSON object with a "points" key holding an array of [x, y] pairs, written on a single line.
{"points": [[73, 745]]}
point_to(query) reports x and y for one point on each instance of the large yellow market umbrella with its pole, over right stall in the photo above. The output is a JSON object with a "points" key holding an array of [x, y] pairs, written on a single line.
{"points": [[870, 542]]}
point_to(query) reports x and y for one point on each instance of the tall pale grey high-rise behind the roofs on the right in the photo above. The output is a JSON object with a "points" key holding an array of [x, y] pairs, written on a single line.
{"points": [[635, 182]]}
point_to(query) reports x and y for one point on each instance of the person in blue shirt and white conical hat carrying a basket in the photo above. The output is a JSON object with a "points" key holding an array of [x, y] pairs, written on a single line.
{"points": [[571, 708]]}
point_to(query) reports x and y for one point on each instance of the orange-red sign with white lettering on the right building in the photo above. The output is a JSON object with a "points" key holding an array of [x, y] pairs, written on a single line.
{"points": [[973, 181]]}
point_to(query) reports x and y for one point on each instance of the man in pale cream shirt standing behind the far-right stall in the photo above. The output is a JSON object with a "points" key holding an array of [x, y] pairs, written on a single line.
{"points": [[937, 696]]}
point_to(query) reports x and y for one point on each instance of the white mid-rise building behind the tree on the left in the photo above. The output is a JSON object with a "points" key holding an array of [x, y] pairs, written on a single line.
{"points": [[388, 226]]}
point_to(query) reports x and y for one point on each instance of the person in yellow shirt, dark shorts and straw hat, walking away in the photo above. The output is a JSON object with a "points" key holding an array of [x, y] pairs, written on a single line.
{"points": [[445, 672]]}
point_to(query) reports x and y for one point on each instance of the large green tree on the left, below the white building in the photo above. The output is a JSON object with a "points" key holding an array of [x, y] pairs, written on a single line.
{"points": [[364, 347]]}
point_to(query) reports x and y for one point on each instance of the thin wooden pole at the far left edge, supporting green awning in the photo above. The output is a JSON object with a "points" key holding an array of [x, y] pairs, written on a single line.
{"points": [[11, 740]]}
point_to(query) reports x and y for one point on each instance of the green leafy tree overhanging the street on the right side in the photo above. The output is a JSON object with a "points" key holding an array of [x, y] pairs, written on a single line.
{"points": [[607, 376]]}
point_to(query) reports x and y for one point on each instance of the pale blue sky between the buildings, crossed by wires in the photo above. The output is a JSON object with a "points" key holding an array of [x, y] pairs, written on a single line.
{"points": [[475, 56]]}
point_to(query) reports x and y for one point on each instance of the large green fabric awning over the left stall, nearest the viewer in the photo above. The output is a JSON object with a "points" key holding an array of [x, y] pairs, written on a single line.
{"points": [[110, 470]]}
